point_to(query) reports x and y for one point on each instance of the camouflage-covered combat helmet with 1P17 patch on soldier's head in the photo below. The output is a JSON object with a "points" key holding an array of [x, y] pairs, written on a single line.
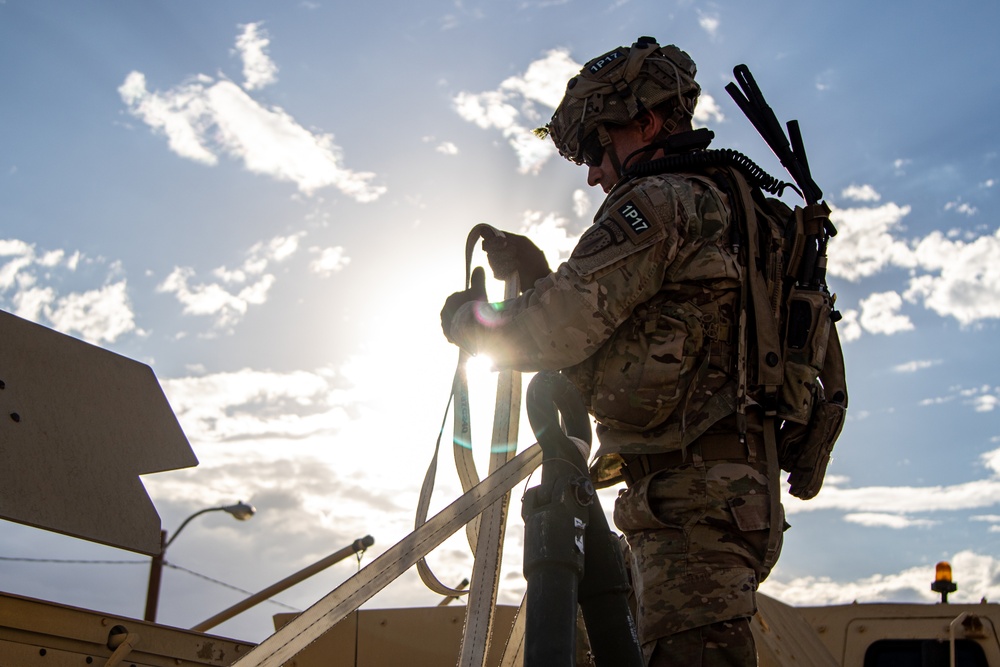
{"points": [[617, 87]]}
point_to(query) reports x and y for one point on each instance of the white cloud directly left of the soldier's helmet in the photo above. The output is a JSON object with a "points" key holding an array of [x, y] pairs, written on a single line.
{"points": [[513, 108]]}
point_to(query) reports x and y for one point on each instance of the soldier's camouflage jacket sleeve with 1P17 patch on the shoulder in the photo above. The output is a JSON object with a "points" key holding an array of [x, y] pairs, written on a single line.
{"points": [[643, 230]]}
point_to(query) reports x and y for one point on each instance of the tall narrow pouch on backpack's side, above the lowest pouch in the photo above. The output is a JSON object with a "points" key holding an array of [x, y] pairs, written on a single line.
{"points": [[808, 331]]}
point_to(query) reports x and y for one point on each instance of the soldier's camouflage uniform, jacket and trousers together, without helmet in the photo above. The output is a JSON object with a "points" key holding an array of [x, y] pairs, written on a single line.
{"points": [[643, 318]]}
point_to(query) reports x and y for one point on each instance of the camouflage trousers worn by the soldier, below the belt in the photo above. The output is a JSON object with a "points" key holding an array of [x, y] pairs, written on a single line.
{"points": [[697, 537]]}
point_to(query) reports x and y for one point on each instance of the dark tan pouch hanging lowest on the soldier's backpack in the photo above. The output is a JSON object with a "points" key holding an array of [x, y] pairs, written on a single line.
{"points": [[804, 449]]}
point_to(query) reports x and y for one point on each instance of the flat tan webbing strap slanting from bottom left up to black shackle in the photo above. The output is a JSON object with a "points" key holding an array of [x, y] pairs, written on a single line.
{"points": [[308, 626]]}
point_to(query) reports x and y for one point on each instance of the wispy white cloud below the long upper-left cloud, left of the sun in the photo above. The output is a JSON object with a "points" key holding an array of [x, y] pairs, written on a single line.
{"points": [[229, 305]]}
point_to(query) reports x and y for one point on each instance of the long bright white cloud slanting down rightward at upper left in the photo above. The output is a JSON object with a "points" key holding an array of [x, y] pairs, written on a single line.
{"points": [[205, 117]]}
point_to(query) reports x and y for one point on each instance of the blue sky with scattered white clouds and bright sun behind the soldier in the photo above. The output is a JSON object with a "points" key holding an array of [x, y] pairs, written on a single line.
{"points": [[267, 203]]}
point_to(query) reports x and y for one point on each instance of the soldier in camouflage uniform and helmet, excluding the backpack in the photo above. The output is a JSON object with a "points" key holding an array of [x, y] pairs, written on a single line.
{"points": [[644, 318]]}
